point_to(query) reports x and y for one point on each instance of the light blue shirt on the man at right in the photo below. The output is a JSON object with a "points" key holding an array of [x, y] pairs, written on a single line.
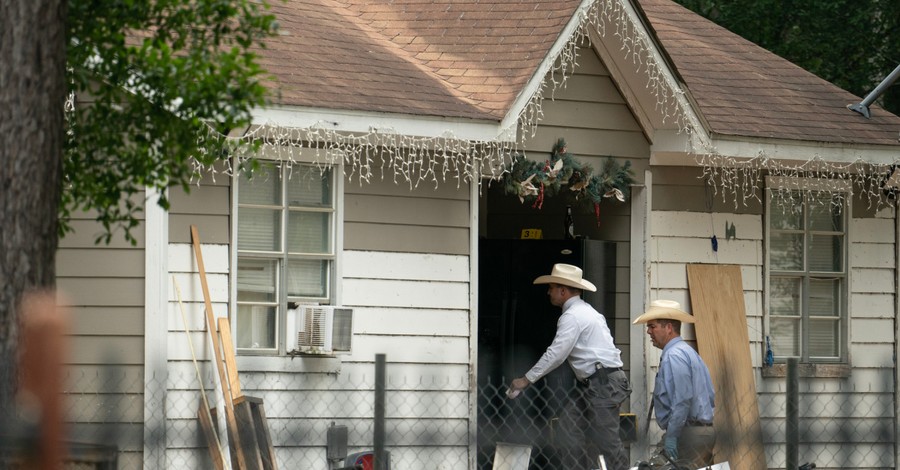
{"points": [[683, 389]]}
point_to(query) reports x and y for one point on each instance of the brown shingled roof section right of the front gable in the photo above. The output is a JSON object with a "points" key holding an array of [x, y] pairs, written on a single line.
{"points": [[744, 90]]}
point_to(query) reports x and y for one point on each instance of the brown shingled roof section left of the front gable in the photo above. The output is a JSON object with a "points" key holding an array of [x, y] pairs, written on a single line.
{"points": [[448, 58]]}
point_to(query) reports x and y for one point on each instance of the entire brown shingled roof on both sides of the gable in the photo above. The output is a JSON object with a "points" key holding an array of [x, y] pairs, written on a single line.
{"points": [[473, 58]]}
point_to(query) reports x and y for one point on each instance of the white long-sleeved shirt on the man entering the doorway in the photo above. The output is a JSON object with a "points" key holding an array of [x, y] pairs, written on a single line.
{"points": [[582, 337]]}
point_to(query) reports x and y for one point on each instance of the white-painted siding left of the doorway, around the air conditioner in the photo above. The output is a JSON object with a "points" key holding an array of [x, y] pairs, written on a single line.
{"points": [[412, 307]]}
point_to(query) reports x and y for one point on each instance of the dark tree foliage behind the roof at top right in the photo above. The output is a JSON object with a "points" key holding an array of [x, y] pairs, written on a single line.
{"points": [[854, 44]]}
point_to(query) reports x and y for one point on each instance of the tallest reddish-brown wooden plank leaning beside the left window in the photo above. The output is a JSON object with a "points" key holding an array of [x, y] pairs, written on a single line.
{"points": [[237, 456]]}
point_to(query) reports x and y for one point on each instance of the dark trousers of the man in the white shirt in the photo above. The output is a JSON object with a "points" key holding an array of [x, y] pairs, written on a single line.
{"points": [[590, 422]]}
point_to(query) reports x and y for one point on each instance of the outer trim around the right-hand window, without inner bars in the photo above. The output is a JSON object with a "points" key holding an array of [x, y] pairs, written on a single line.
{"points": [[777, 183]]}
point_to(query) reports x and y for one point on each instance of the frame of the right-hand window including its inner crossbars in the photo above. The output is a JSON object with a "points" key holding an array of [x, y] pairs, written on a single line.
{"points": [[806, 185]]}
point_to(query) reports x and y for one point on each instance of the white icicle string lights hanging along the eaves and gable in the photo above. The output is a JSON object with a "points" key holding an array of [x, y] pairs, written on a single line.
{"points": [[416, 160]]}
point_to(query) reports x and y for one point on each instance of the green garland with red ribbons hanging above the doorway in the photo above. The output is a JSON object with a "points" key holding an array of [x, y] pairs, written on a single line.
{"points": [[533, 181]]}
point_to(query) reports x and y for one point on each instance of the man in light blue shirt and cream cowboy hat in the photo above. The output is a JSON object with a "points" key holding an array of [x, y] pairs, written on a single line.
{"points": [[683, 393]]}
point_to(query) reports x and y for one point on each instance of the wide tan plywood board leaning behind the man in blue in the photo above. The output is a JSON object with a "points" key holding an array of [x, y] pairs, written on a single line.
{"points": [[717, 302]]}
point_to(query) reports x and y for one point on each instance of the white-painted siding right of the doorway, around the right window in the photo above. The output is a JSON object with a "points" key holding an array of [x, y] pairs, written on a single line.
{"points": [[842, 420]]}
